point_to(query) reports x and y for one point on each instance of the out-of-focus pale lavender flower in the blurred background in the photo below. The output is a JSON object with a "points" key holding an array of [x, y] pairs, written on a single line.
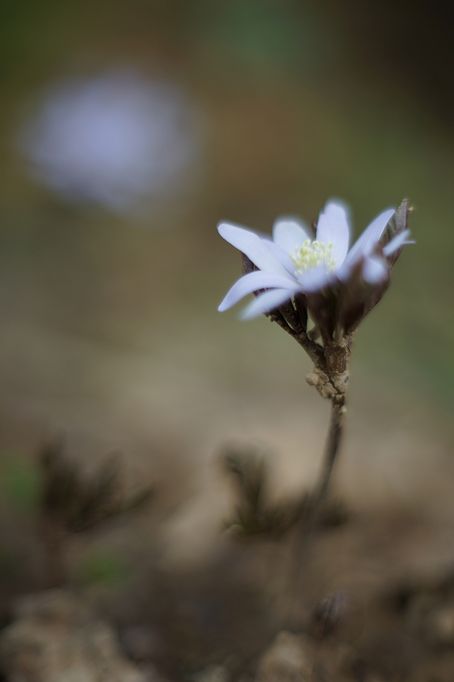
{"points": [[112, 140]]}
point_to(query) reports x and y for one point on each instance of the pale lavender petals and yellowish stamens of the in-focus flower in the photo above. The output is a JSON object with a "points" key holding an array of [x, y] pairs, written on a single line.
{"points": [[293, 262]]}
